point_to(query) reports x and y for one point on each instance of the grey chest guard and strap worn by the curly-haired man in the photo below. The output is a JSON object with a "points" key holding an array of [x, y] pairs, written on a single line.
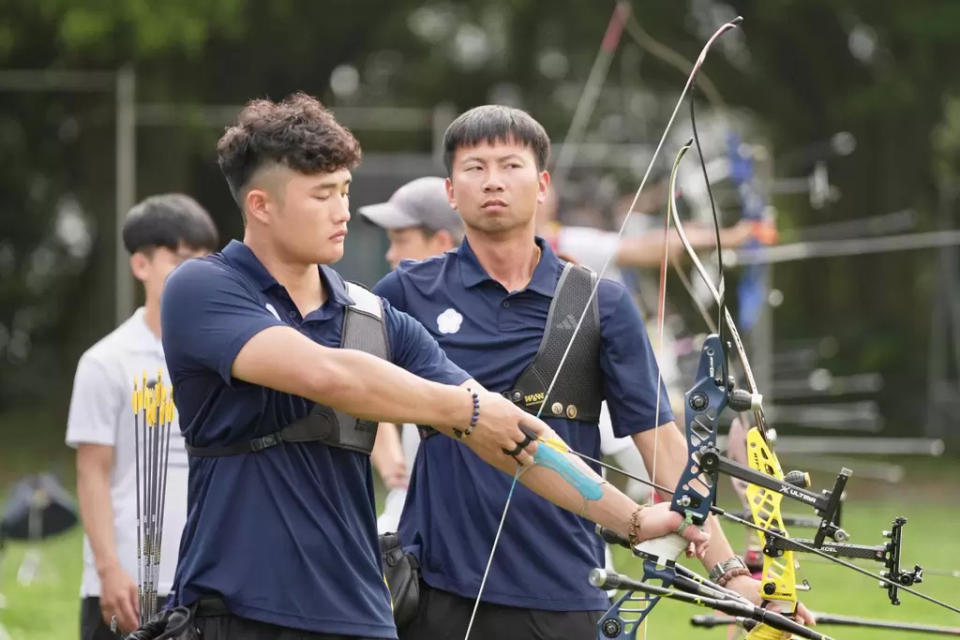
{"points": [[364, 330]]}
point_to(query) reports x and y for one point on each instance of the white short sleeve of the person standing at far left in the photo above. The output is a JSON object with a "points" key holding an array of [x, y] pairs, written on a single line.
{"points": [[95, 404]]}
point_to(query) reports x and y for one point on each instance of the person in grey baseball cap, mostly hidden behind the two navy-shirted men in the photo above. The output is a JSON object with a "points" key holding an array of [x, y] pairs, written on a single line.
{"points": [[420, 224]]}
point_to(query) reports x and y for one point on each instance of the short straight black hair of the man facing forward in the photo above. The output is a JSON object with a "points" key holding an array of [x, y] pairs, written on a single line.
{"points": [[492, 123]]}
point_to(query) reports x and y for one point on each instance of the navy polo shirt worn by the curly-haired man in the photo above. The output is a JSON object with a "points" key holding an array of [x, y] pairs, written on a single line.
{"points": [[288, 535]]}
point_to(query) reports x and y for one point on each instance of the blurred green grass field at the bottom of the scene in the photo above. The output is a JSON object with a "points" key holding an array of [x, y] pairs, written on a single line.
{"points": [[929, 497]]}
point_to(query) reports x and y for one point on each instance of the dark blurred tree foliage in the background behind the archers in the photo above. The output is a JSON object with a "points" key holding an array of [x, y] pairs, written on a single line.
{"points": [[801, 69]]}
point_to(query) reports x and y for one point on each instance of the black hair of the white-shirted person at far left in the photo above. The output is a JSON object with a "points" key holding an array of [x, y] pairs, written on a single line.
{"points": [[169, 220]]}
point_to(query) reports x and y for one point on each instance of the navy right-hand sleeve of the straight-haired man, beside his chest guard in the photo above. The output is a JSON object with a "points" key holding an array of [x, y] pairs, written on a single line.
{"points": [[629, 366]]}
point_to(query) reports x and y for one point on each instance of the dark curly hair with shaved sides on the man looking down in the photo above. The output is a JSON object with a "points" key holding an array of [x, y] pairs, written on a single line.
{"points": [[297, 132]]}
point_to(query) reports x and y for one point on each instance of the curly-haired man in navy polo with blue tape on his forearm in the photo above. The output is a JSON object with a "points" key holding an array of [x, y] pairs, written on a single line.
{"points": [[279, 369]]}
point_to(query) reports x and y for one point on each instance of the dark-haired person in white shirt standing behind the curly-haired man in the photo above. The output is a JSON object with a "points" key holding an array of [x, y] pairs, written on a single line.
{"points": [[159, 232]]}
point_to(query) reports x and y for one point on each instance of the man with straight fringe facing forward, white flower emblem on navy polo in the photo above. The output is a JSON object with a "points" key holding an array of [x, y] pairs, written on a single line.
{"points": [[487, 304]]}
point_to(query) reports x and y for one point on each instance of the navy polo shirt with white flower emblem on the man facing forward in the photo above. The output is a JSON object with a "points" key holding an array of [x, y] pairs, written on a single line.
{"points": [[455, 500]]}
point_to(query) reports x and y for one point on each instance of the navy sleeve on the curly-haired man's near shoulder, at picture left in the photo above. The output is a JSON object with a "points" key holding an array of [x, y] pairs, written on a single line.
{"points": [[207, 316]]}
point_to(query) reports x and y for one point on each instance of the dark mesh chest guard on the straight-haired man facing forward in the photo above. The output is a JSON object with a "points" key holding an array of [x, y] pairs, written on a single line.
{"points": [[579, 394]]}
